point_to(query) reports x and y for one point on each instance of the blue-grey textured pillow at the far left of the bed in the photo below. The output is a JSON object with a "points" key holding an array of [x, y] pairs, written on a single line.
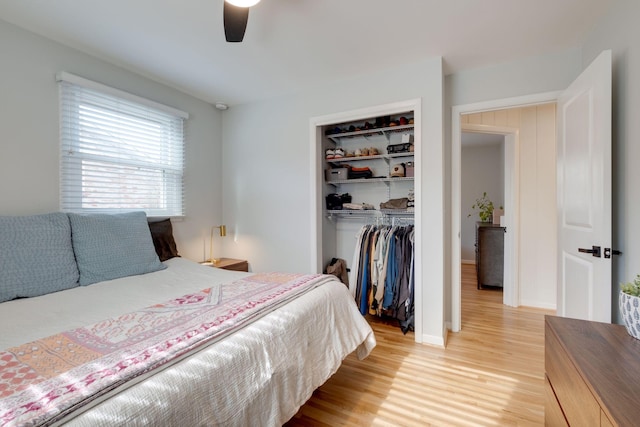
{"points": [[36, 256]]}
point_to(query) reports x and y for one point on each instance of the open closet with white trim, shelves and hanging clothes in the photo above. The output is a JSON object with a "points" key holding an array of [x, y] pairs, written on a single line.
{"points": [[365, 179]]}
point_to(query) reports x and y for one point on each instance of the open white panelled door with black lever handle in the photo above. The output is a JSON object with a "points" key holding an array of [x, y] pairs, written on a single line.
{"points": [[584, 194]]}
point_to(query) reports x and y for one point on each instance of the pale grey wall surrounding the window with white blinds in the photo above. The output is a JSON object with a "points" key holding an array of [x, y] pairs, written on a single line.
{"points": [[30, 134]]}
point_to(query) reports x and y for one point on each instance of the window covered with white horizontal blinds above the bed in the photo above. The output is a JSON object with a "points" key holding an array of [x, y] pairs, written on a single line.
{"points": [[118, 152]]}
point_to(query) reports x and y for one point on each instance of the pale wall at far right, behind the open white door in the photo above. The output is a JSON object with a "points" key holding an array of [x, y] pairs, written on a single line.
{"points": [[620, 32]]}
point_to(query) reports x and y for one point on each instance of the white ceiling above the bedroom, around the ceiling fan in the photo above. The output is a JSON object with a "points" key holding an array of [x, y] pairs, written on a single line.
{"points": [[293, 44]]}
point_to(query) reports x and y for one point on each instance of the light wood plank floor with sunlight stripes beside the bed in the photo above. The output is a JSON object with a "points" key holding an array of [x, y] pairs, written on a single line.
{"points": [[490, 374]]}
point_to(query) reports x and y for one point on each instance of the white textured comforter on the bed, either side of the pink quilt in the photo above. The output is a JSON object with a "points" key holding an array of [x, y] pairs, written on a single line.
{"points": [[260, 375]]}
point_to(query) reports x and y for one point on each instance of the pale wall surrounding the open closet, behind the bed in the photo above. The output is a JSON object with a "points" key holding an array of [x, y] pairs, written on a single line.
{"points": [[267, 186]]}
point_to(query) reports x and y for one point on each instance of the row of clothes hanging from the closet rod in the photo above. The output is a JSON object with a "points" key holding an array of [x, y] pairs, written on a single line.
{"points": [[382, 273]]}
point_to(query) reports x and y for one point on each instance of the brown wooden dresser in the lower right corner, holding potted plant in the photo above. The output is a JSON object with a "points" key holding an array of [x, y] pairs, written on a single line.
{"points": [[592, 374]]}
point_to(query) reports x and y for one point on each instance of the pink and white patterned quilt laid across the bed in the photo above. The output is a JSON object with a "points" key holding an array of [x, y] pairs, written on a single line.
{"points": [[44, 380]]}
